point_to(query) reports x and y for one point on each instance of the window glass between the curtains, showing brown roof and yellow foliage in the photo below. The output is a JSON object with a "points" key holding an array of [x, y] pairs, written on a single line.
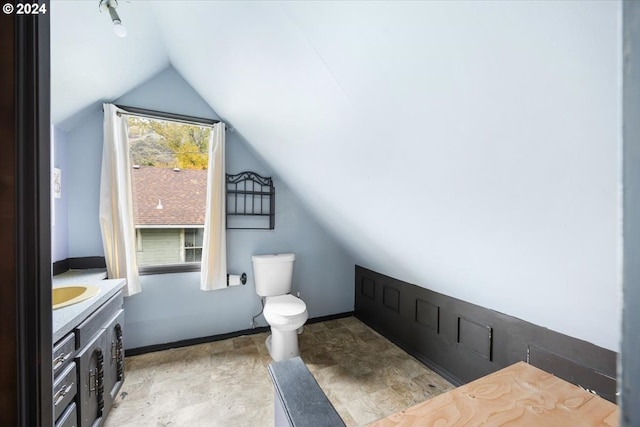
{"points": [[169, 187]]}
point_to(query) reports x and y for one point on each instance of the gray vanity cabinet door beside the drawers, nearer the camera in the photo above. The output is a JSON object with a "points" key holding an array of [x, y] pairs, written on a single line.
{"points": [[91, 362]]}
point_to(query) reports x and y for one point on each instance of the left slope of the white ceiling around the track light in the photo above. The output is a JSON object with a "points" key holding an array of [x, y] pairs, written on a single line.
{"points": [[90, 65]]}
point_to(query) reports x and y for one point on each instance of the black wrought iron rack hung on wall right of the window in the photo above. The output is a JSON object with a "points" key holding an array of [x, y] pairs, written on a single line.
{"points": [[251, 201]]}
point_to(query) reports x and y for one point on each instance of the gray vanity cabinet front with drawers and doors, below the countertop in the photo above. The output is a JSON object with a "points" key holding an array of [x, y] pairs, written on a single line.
{"points": [[91, 368]]}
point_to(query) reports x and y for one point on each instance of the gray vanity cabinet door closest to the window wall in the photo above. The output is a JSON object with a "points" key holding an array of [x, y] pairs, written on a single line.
{"points": [[114, 359]]}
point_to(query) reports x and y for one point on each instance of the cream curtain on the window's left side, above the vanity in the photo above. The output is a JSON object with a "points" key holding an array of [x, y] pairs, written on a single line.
{"points": [[116, 206]]}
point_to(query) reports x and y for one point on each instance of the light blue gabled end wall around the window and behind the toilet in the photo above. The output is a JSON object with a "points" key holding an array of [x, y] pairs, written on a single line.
{"points": [[171, 306]]}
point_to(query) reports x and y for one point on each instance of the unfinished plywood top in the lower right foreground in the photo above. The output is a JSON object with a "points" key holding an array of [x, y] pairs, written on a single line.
{"points": [[518, 395]]}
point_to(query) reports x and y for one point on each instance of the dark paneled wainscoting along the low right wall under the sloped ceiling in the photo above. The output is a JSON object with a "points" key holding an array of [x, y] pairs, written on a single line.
{"points": [[463, 341]]}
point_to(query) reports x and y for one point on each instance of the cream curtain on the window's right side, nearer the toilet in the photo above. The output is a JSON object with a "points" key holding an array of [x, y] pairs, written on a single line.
{"points": [[214, 252]]}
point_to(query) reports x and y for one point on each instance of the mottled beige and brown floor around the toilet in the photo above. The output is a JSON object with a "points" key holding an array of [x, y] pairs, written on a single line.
{"points": [[225, 383]]}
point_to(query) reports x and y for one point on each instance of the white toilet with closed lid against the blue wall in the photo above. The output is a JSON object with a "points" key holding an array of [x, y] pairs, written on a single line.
{"points": [[284, 312]]}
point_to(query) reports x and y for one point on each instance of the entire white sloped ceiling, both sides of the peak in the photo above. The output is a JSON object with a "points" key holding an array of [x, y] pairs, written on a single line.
{"points": [[468, 147]]}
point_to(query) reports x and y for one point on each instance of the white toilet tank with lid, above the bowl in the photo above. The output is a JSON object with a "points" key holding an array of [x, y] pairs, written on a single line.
{"points": [[273, 274]]}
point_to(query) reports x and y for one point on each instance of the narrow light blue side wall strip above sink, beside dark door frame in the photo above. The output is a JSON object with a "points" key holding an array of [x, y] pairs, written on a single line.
{"points": [[59, 227]]}
